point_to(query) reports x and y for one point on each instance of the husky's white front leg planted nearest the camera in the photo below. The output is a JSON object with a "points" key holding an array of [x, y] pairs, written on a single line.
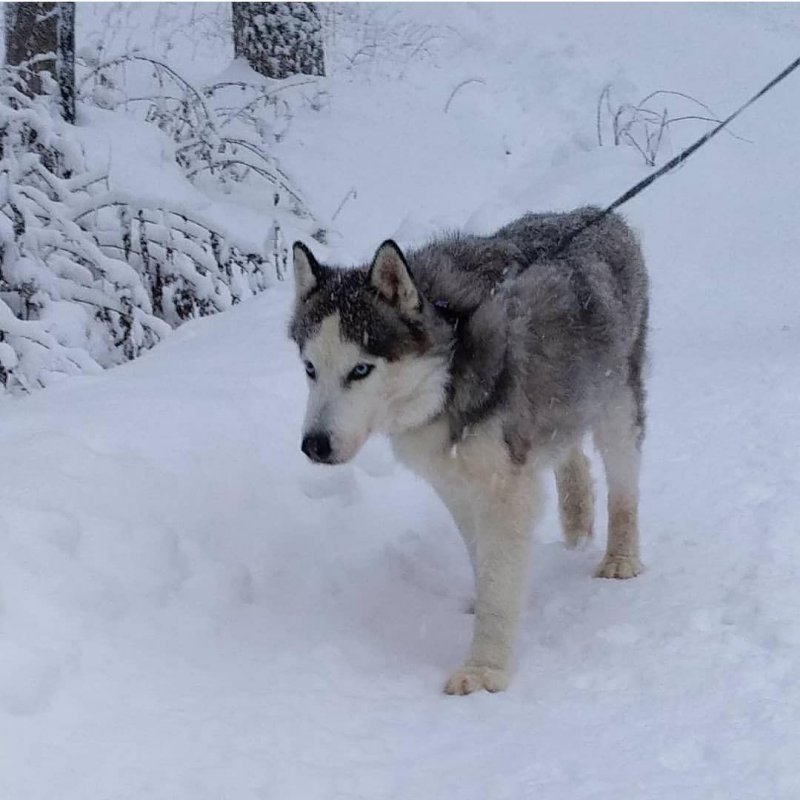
{"points": [[502, 553]]}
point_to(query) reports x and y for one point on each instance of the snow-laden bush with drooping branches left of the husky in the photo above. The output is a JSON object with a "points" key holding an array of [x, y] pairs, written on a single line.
{"points": [[89, 277]]}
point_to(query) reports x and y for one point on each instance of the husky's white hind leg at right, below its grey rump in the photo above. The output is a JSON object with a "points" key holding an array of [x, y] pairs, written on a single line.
{"points": [[618, 439]]}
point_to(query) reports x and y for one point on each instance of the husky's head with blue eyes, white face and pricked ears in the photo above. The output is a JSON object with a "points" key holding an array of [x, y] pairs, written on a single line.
{"points": [[371, 363]]}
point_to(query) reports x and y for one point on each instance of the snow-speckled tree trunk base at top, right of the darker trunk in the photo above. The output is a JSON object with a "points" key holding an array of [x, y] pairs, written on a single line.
{"points": [[279, 39]]}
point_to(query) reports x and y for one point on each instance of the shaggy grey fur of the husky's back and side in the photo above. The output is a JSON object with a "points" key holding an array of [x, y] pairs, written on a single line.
{"points": [[548, 337]]}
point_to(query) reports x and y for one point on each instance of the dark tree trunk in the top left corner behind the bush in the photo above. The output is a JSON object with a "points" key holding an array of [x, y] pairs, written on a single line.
{"points": [[44, 35]]}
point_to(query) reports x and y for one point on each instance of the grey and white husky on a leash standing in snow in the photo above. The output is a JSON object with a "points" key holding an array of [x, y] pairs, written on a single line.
{"points": [[486, 359]]}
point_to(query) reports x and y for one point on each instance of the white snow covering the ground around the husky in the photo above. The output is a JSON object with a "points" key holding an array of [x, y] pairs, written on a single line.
{"points": [[190, 611]]}
